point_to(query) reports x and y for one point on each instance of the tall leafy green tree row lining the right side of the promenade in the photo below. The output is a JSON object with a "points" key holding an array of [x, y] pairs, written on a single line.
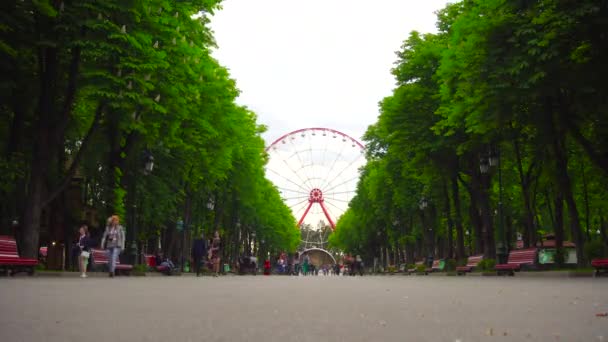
{"points": [[498, 128]]}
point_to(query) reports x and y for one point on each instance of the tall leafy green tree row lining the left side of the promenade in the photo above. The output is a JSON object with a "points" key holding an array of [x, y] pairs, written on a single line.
{"points": [[93, 90]]}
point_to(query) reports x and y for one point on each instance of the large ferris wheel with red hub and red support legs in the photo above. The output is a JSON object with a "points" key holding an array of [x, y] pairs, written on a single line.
{"points": [[316, 170]]}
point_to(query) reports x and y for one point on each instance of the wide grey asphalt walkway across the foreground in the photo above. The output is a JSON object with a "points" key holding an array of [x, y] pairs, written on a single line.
{"points": [[280, 308]]}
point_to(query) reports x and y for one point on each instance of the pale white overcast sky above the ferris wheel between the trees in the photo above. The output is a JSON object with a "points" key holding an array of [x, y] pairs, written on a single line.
{"points": [[316, 63]]}
